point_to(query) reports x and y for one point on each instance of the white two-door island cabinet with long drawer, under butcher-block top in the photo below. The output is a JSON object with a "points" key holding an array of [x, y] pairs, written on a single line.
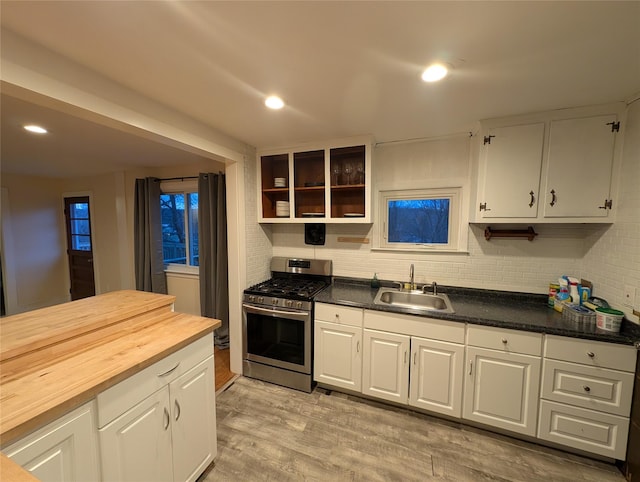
{"points": [[168, 434]]}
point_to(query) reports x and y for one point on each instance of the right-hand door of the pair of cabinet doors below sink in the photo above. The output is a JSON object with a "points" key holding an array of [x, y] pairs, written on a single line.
{"points": [[436, 376]]}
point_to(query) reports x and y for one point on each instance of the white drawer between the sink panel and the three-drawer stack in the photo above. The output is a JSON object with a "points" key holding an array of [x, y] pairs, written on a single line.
{"points": [[508, 341]]}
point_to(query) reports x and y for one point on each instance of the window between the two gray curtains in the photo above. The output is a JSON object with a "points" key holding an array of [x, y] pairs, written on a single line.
{"points": [[179, 214]]}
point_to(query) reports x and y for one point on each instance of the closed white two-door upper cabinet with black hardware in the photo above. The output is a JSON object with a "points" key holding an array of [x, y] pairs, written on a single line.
{"points": [[551, 167]]}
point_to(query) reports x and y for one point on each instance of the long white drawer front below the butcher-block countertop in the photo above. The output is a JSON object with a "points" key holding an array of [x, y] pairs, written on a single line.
{"points": [[124, 395]]}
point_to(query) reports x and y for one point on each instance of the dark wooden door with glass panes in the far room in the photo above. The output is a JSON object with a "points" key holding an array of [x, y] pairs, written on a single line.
{"points": [[79, 247]]}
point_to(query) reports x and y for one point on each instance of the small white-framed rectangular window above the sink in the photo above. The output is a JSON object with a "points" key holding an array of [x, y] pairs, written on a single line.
{"points": [[420, 219]]}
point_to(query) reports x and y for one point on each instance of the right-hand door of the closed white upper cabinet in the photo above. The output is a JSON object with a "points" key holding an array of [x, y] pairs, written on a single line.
{"points": [[579, 167]]}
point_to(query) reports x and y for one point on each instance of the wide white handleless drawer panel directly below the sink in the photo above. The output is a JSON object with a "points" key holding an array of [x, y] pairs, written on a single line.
{"points": [[415, 326]]}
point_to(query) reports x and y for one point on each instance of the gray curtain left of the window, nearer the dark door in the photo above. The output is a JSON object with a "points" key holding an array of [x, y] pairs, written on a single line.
{"points": [[147, 225]]}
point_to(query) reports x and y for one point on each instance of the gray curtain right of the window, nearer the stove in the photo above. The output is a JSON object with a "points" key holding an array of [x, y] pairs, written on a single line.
{"points": [[212, 244]]}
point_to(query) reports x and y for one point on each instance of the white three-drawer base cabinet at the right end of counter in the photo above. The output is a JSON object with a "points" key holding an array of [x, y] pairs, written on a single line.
{"points": [[587, 388]]}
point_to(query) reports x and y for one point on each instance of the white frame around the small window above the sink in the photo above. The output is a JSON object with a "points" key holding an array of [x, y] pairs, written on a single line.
{"points": [[456, 236]]}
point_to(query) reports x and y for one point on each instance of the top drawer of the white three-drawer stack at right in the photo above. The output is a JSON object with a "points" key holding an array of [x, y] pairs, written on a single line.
{"points": [[592, 353]]}
